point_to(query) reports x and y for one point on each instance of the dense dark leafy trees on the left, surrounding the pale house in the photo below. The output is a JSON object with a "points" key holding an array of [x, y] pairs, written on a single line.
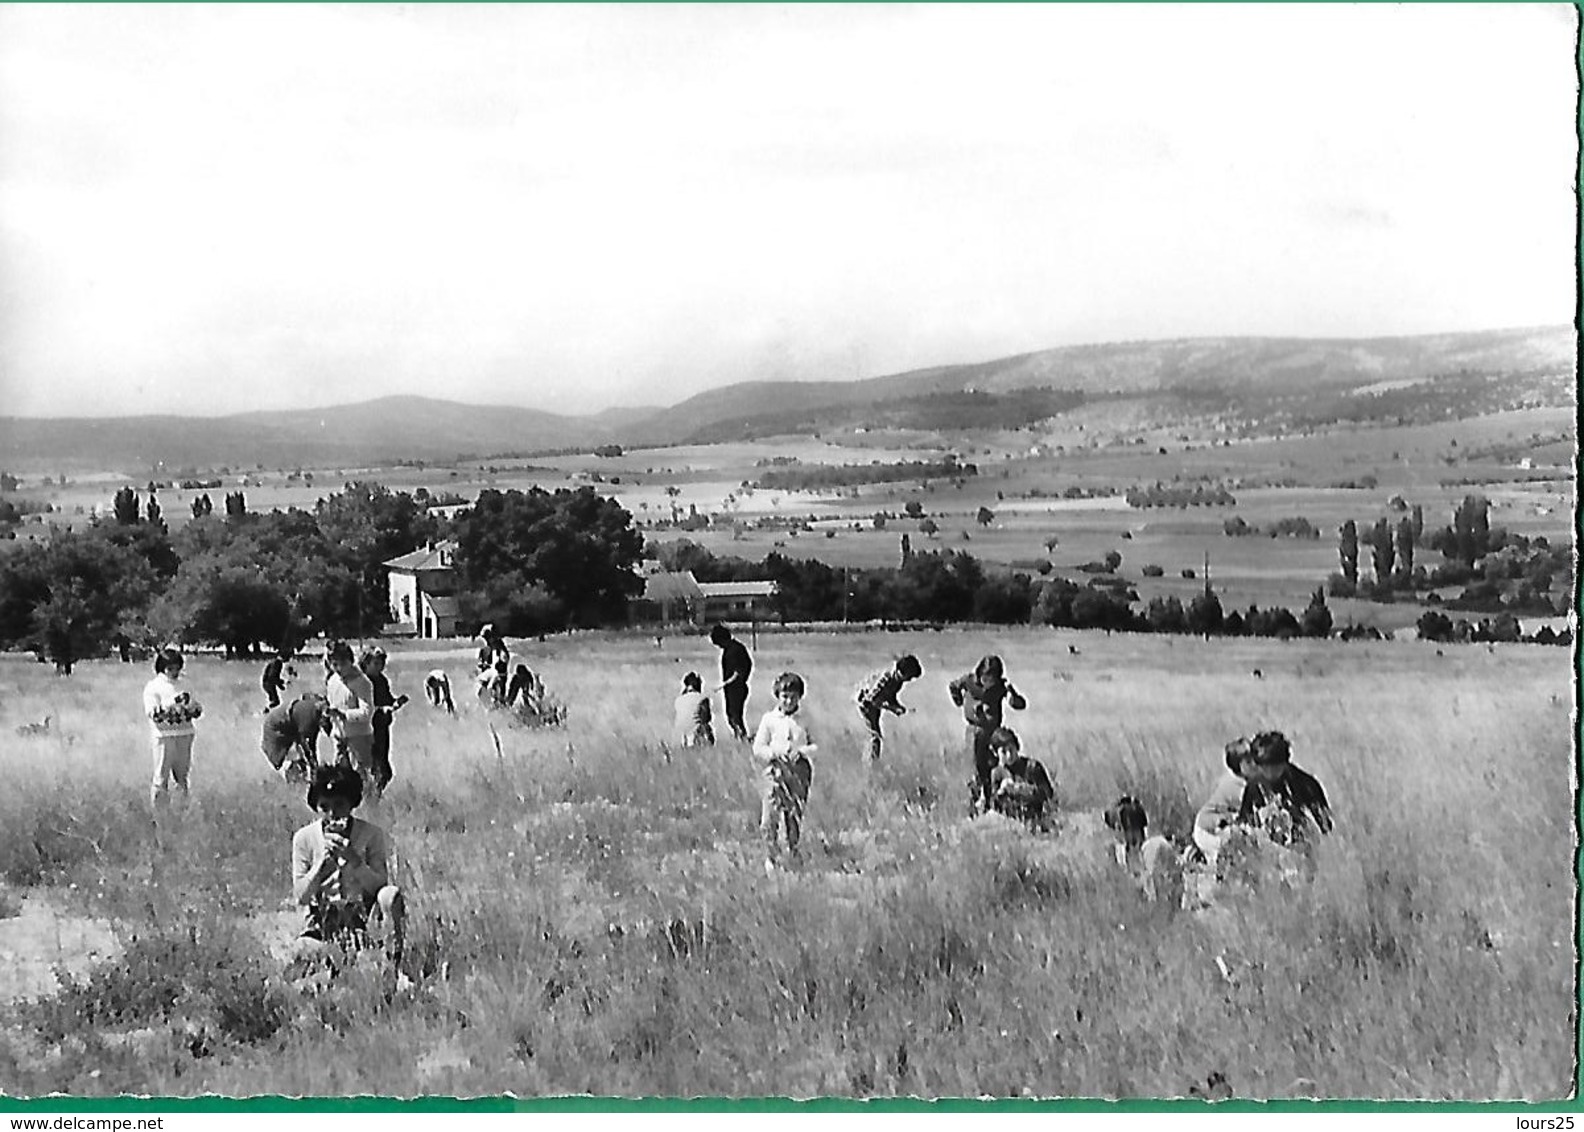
{"points": [[245, 580]]}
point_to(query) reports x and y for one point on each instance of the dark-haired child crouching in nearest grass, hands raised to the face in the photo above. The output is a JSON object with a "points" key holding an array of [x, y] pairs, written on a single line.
{"points": [[340, 876]]}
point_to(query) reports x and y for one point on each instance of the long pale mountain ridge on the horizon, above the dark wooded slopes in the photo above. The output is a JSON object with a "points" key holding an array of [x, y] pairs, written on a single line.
{"points": [[414, 427]]}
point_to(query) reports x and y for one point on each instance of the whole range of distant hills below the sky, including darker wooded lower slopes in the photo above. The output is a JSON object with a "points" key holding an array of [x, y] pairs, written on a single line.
{"points": [[1292, 381]]}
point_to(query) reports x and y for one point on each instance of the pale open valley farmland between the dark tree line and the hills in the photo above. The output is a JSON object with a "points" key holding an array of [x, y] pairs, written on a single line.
{"points": [[1022, 476]]}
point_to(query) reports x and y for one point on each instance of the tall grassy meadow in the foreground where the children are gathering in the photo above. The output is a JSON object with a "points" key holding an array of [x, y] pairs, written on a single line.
{"points": [[590, 911]]}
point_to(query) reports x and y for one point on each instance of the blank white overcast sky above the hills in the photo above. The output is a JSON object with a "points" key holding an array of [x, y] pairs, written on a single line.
{"points": [[211, 210]]}
